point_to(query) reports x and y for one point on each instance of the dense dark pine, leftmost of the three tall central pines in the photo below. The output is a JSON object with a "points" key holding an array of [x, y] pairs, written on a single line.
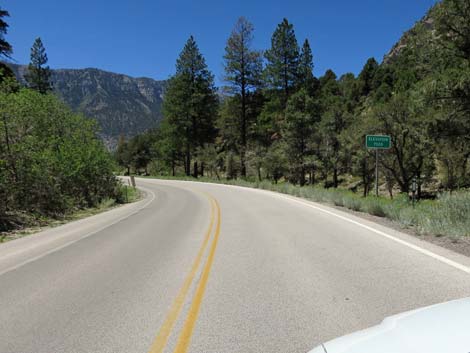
{"points": [[191, 103]]}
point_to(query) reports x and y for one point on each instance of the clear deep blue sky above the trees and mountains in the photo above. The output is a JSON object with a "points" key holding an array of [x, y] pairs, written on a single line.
{"points": [[144, 37]]}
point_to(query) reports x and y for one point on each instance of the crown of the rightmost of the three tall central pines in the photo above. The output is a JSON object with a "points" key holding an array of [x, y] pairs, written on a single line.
{"points": [[283, 59]]}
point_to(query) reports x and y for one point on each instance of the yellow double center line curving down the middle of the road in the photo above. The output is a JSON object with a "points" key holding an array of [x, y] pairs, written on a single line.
{"points": [[185, 336]]}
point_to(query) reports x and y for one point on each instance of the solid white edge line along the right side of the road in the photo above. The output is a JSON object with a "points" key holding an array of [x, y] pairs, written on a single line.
{"points": [[310, 204]]}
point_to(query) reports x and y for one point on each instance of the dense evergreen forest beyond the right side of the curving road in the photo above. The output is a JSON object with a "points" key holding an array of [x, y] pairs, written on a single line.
{"points": [[276, 120]]}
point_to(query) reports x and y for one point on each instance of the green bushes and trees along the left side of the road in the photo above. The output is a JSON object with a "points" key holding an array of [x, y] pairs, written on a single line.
{"points": [[51, 161]]}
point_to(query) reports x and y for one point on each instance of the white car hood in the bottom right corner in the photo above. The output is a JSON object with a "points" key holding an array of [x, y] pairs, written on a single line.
{"points": [[441, 328]]}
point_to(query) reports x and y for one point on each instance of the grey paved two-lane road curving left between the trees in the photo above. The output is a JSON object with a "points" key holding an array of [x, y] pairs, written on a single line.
{"points": [[209, 268]]}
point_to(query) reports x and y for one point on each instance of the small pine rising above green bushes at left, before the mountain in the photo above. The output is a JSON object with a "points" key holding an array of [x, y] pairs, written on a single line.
{"points": [[39, 76]]}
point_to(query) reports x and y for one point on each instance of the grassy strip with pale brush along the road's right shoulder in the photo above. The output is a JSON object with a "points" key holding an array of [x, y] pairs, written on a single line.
{"points": [[447, 215]]}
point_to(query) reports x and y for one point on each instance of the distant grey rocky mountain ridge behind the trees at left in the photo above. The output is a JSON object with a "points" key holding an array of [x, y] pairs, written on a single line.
{"points": [[120, 104]]}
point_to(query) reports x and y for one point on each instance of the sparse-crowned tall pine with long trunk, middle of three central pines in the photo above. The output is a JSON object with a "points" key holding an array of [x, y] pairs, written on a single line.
{"points": [[243, 68]]}
